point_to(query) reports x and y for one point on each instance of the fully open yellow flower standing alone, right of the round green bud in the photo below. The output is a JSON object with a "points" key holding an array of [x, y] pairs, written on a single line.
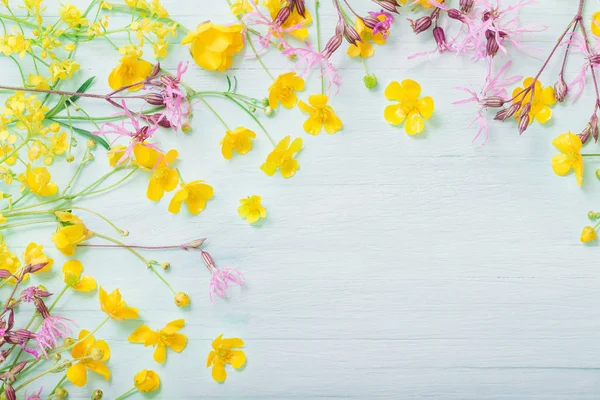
{"points": [[410, 107]]}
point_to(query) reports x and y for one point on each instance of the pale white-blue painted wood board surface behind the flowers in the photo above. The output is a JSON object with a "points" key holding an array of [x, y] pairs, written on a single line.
{"points": [[390, 267]]}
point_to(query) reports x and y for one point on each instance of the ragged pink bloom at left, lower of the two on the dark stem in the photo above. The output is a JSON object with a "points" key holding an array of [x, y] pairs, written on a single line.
{"points": [[131, 129]]}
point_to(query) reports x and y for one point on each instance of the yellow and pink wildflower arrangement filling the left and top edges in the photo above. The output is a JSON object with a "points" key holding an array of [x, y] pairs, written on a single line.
{"points": [[43, 123]]}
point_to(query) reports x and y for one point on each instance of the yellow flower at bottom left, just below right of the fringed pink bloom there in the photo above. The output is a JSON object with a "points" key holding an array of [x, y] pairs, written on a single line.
{"points": [[88, 354]]}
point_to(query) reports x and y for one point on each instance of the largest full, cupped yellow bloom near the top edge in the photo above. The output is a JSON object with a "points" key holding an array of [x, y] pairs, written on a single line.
{"points": [[213, 46]]}
